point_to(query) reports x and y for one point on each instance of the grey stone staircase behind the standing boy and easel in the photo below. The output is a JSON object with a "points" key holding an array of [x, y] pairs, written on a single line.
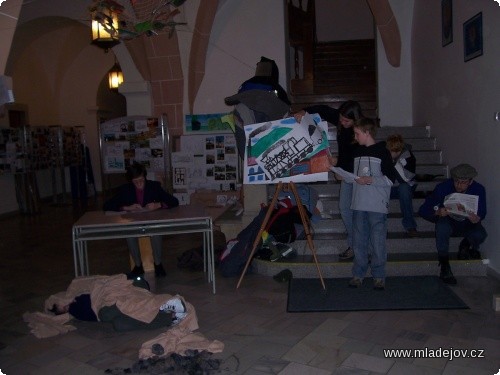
{"points": [[406, 256]]}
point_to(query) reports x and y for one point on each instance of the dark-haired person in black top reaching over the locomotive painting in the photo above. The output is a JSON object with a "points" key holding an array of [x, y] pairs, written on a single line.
{"points": [[344, 118]]}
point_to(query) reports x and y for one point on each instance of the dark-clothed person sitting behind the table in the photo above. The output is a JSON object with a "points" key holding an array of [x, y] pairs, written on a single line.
{"points": [[141, 194]]}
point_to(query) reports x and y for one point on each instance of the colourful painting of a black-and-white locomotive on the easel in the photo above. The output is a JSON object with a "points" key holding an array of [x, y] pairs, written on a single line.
{"points": [[284, 150]]}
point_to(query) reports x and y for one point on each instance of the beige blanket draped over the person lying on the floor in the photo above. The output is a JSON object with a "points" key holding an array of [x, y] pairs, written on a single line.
{"points": [[138, 303]]}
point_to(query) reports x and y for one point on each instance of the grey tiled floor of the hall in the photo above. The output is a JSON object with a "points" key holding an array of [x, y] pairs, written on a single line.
{"points": [[260, 337]]}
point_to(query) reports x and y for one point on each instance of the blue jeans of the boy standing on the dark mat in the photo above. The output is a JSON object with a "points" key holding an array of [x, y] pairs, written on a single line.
{"points": [[369, 235]]}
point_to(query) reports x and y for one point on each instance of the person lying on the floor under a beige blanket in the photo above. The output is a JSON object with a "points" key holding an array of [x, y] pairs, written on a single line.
{"points": [[127, 304]]}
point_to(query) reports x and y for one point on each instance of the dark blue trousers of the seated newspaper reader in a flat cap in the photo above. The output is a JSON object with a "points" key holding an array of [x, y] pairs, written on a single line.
{"points": [[447, 227]]}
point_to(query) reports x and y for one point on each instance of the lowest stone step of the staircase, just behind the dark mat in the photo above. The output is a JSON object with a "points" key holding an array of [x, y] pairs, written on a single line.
{"points": [[407, 265]]}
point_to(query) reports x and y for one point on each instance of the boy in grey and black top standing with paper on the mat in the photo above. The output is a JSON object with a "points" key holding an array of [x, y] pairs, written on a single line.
{"points": [[370, 204]]}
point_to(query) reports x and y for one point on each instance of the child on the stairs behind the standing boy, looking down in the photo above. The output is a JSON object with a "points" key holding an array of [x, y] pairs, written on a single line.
{"points": [[405, 163]]}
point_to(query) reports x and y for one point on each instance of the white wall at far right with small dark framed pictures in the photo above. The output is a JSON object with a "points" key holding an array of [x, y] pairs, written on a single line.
{"points": [[458, 99]]}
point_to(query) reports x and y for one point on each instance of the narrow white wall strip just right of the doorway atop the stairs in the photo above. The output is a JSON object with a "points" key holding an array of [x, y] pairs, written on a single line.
{"points": [[395, 84]]}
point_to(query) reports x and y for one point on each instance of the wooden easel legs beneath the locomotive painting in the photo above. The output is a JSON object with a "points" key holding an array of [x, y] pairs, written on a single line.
{"points": [[305, 222]]}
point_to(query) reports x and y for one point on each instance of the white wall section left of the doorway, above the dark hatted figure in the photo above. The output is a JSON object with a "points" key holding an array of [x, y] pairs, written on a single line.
{"points": [[243, 31]]}
